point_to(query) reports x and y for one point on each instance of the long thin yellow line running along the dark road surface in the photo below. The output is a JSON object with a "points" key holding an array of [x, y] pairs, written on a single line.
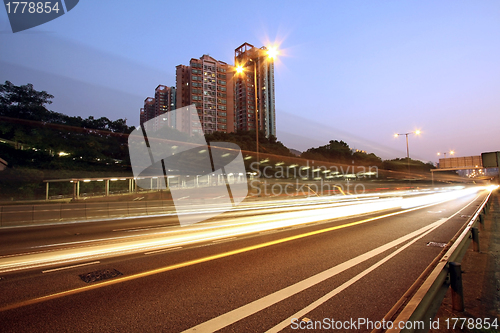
{"points": [[201, 260]]}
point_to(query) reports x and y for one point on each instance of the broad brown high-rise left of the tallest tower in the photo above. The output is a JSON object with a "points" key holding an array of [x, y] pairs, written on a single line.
{"points": [[208, 84]]}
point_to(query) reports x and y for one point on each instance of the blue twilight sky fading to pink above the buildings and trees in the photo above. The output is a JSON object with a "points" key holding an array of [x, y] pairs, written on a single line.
{"points": [[357, 71]]}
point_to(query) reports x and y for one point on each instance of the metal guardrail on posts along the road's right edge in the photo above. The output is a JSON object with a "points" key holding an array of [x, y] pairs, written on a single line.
{"points": [[429, 290]]}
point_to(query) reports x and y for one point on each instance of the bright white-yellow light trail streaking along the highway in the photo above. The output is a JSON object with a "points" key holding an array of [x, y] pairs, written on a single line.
{"points": [[208, 232]]}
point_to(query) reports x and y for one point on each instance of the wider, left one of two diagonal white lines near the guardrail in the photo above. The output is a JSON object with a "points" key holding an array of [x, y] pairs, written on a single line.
{"points": [[235, 315]]}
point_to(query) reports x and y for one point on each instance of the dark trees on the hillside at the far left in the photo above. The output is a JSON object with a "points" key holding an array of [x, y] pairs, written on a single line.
{"points": [[92, 144]]}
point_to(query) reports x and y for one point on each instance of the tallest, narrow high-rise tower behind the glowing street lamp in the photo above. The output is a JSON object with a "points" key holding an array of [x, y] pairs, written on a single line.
{"points": [[256, 63]]}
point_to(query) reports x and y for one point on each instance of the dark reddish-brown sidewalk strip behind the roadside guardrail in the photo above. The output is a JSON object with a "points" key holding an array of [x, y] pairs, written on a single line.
{"points": [[481, 277]]}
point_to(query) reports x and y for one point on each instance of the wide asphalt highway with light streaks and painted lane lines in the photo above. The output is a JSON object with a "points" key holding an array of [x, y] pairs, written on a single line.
{"points": [[250, 270]]}
